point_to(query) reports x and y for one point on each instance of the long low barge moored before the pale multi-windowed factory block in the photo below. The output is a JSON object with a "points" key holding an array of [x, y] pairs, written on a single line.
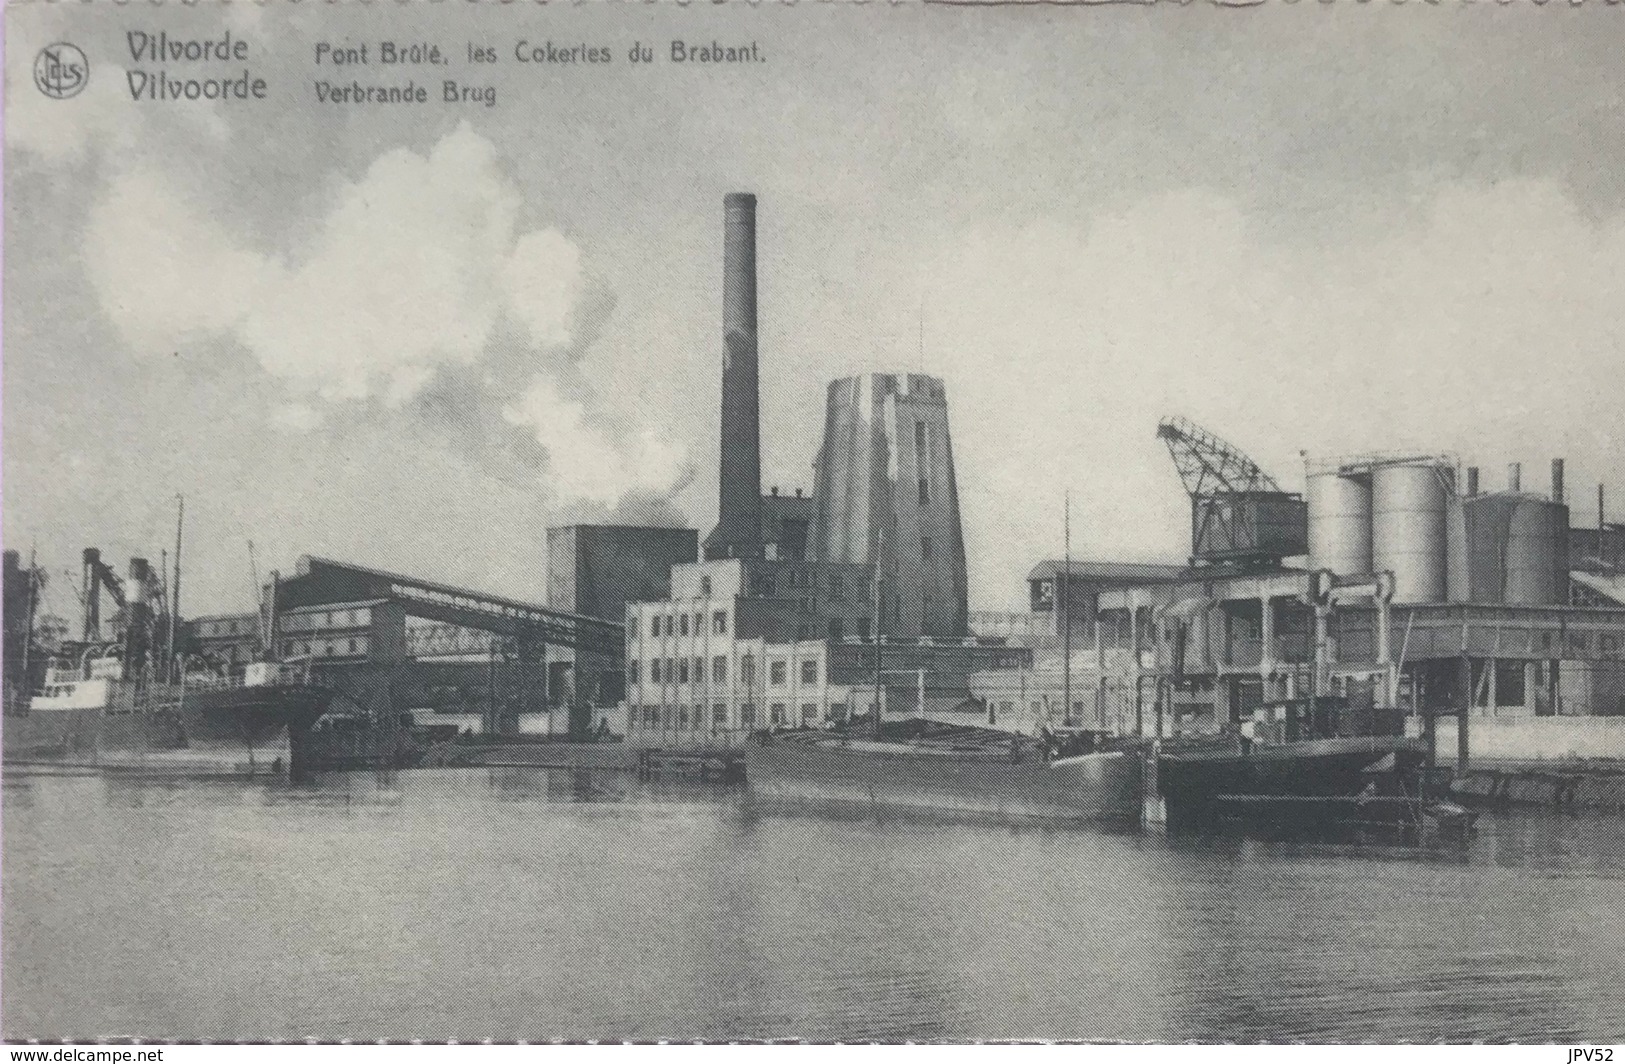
{"points": [[950, 772]]}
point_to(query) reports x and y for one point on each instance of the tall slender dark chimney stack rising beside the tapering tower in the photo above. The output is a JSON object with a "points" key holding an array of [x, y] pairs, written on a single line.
{"points": [[739, 530]]}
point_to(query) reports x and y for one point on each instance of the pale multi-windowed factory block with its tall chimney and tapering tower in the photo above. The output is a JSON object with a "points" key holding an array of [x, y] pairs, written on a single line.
{"points": [[782, 621]]}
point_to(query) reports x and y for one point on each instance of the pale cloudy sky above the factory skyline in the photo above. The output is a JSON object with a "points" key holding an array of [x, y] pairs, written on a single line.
{"points": [[415, 337]]}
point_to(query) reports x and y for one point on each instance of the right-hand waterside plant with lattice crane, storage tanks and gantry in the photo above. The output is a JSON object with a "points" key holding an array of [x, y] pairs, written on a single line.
{"points": [[1405, 590]]}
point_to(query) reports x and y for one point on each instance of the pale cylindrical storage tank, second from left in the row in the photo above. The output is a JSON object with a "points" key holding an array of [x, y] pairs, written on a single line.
{"points": [[1408, 529]]}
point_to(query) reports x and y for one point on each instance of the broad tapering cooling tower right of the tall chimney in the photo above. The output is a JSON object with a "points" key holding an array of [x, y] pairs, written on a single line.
{"points": [[886, 495]]}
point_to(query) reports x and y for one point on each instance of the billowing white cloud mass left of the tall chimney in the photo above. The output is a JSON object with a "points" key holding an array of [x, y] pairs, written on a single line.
{"points": [[409, 274]]}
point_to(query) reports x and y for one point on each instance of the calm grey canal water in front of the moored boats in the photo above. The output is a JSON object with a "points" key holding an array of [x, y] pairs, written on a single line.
{"points": [[522, 904]]}
